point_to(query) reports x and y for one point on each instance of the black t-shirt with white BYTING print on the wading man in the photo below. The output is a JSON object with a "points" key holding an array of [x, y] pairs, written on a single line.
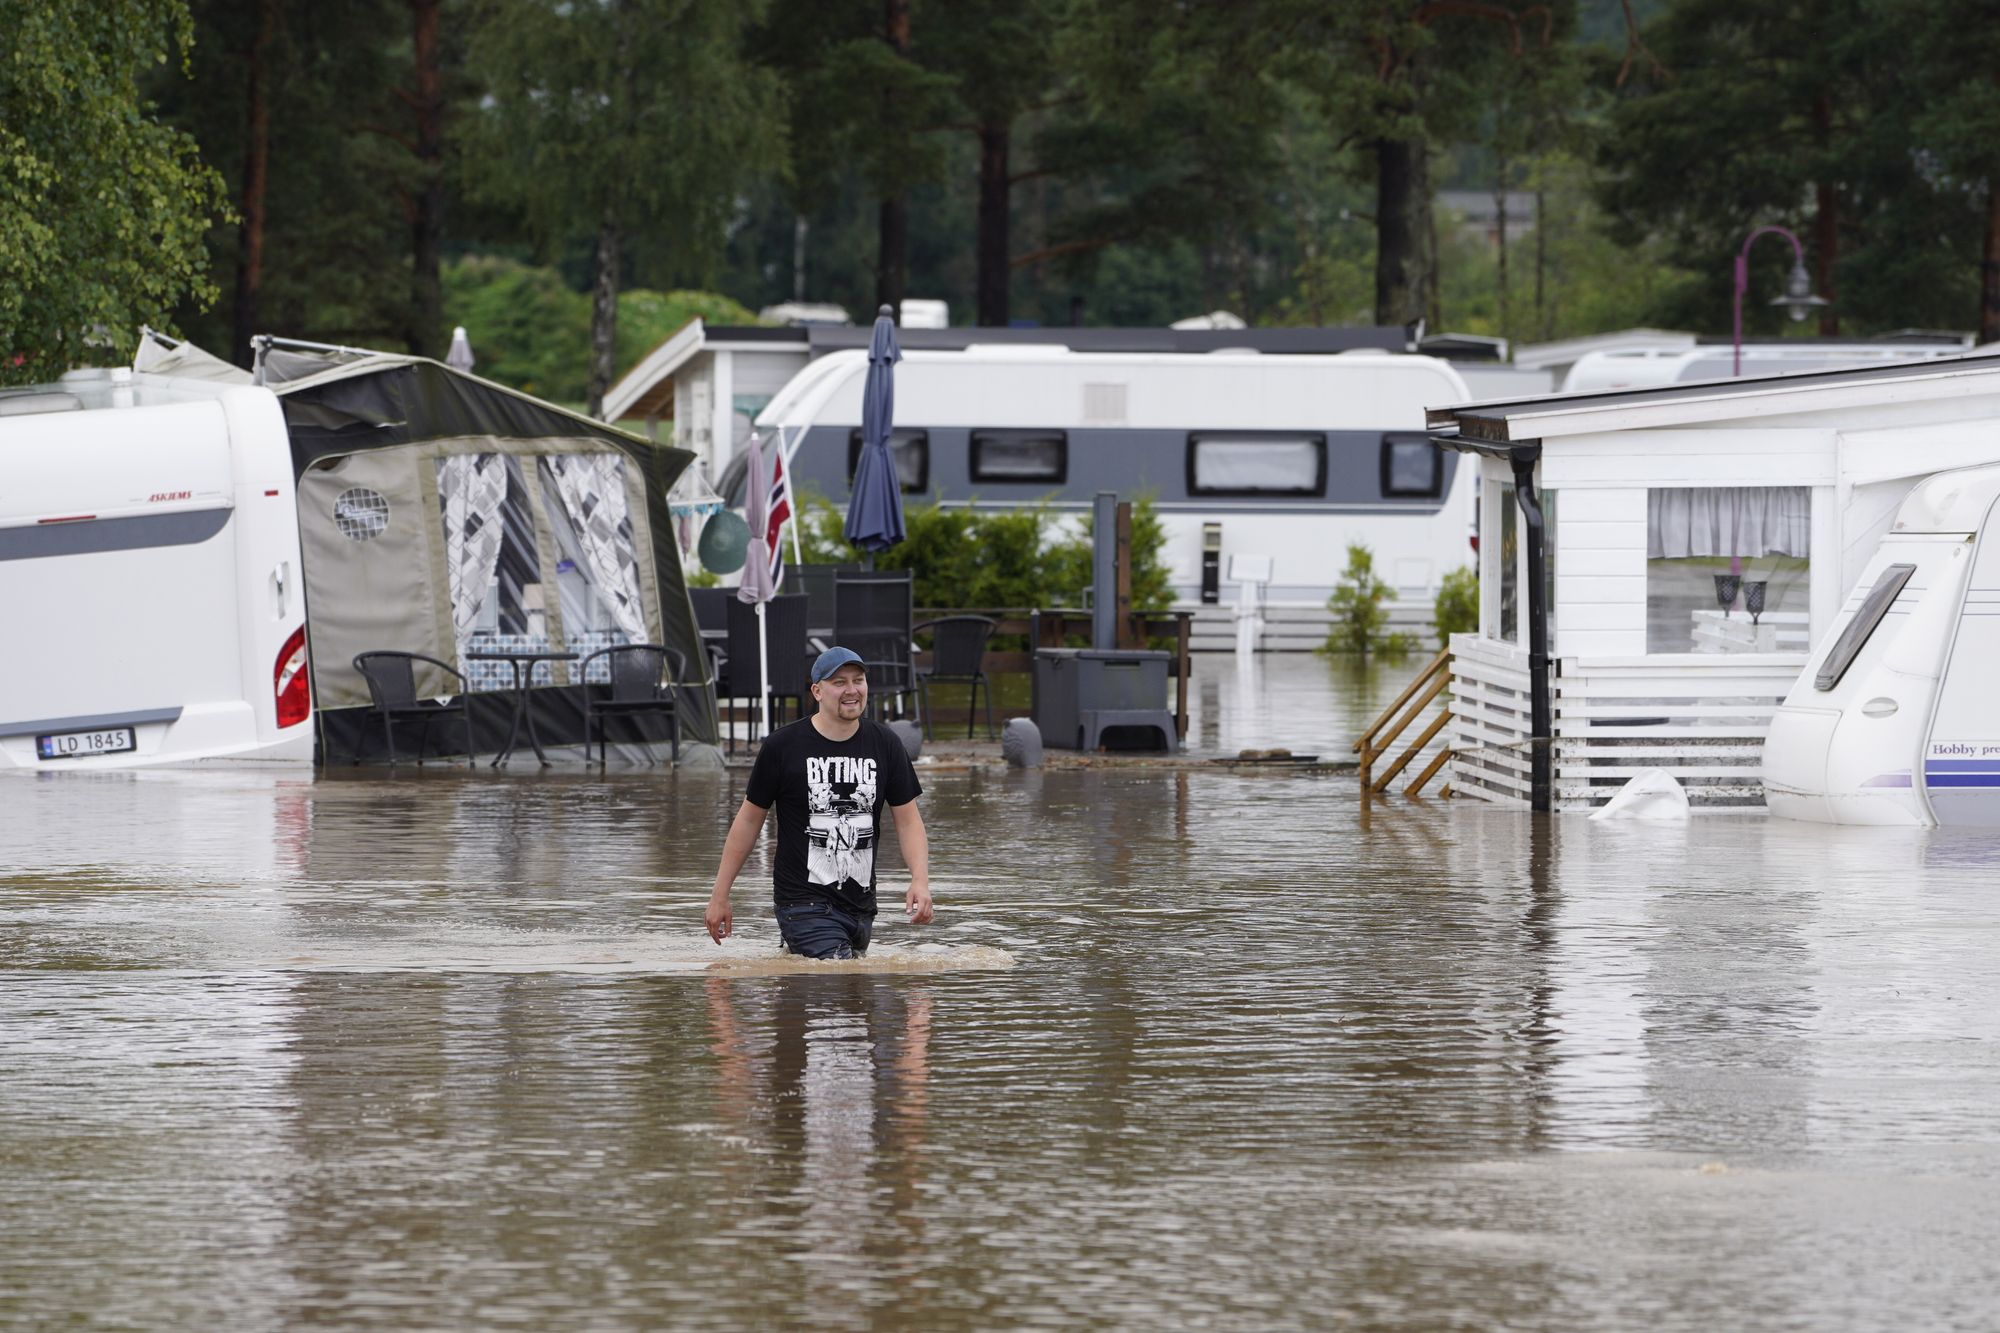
{"points": [[829, 798]]}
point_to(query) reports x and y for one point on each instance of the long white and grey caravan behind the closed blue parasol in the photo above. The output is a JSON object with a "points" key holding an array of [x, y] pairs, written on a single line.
{"points": [[1245, 453]]}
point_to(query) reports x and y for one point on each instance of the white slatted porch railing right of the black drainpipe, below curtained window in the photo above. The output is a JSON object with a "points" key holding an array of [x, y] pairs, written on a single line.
{"points": [[1697, 716]]}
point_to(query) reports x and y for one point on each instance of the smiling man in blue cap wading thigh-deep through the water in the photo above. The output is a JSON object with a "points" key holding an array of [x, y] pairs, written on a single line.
{"points": [[829, 776]]}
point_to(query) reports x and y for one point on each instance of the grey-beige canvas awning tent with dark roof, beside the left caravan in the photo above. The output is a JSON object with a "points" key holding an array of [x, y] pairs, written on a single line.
{"points": [[447, 515]]}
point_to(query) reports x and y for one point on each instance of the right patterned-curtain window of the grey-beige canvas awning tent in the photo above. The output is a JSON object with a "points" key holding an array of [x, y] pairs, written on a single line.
{"points": [[597, 569]]}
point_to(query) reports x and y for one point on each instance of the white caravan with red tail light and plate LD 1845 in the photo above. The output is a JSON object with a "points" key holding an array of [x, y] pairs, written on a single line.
{"points": [[149, 565]]}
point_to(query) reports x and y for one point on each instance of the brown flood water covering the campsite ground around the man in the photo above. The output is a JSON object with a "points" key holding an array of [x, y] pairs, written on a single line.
{"points": [[1183, 1050]]}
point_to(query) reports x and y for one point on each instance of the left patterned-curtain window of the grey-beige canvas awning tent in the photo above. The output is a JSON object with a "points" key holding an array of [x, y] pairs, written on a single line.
{"points": [[491, 561]]}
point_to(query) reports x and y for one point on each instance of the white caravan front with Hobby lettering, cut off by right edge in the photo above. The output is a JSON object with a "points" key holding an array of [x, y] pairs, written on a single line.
{"points": [[1895, 720]]}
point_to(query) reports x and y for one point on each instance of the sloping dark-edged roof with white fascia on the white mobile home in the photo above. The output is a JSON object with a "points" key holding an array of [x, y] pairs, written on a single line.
{"points": [[1503, 423]]}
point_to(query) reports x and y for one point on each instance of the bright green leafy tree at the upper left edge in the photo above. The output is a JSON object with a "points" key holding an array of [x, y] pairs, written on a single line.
{"points": [[103, 207]]}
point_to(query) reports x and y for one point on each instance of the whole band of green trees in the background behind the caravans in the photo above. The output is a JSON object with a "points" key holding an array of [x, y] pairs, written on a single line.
{"points": [[1051, 161]]}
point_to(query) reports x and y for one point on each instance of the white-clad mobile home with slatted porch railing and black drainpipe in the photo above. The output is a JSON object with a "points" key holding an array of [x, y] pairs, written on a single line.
{"points": [[1659, 565]]}
